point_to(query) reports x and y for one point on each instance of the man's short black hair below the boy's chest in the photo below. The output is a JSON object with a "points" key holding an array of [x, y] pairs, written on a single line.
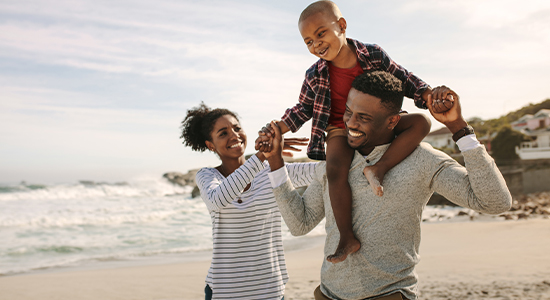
{"points": [[382, 85]]}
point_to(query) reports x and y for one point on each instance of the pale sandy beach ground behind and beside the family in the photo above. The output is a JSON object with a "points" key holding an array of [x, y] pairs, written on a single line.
{"points": [[459, 260]]}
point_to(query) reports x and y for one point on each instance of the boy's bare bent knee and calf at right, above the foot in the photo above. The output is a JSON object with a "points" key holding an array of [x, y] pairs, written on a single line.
{"points": [[410, 131]]}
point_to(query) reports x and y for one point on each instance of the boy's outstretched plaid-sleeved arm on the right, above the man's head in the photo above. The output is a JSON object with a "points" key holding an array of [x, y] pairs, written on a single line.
{"points": [[414, 87]]}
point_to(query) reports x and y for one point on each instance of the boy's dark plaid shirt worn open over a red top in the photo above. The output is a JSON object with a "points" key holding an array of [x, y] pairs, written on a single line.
{"points": [[314, 101]]}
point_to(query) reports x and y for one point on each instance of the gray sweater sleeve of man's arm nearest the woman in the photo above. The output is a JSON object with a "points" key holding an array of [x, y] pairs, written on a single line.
{"points": [[301, 213]]}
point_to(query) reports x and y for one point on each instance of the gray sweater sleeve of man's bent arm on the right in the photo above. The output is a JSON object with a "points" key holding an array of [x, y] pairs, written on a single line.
{"points": [[479, 186]]}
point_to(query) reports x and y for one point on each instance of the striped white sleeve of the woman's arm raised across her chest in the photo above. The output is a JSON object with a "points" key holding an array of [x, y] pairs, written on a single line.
{"points": [[218, 194]]}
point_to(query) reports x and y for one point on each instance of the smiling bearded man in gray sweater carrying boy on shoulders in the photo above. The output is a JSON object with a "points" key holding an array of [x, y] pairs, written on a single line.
{"points": [[388, 227]]}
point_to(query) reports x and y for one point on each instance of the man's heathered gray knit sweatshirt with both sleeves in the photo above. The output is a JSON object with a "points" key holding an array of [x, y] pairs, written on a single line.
{"points": [[388, 227]]}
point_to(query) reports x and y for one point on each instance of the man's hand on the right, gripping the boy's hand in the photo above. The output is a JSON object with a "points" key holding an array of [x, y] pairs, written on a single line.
{"points": [[453, 117]]}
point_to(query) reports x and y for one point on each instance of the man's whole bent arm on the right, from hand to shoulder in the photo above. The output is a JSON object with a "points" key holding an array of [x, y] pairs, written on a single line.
{"points": [[480, 186]]}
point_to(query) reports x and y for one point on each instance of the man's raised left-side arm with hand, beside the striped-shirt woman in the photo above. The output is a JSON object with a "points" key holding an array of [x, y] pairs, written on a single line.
{"points": [[301, 213]]}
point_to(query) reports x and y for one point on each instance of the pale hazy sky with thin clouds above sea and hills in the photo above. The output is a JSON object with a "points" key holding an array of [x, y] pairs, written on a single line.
{"points": [[96, 90]]}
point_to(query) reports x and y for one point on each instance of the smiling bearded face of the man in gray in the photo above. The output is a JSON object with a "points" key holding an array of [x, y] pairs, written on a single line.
{"points": [[368, 122]]}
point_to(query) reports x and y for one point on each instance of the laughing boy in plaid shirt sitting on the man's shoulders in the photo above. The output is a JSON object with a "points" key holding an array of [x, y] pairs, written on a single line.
{"points": [[323, 98]]}
